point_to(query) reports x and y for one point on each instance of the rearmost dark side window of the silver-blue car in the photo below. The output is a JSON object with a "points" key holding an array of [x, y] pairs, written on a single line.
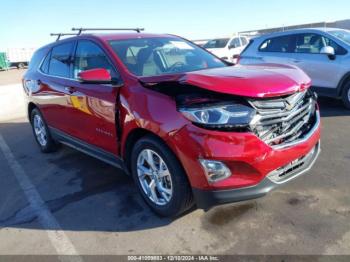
{"points": [[281, 44]]}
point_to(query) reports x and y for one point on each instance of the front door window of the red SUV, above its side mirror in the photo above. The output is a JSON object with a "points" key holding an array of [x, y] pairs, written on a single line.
{"points": [[90, 56]]}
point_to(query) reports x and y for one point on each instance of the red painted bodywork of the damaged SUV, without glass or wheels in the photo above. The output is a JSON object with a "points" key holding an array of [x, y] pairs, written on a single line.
{"points": [[88, 112]]}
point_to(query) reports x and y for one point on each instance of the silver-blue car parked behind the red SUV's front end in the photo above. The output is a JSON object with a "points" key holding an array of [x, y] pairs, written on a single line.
{"points": [[323, 53]]}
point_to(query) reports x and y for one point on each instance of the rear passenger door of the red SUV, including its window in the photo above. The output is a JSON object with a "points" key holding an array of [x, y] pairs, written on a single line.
{"points": [[55, 78]]}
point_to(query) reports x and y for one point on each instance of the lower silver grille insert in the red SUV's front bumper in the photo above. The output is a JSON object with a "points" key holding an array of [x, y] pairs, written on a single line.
{"points": [[295, 168]]}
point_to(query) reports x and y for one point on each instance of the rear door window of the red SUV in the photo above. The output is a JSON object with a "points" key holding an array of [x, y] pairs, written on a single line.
{"points": [[60, 62]]}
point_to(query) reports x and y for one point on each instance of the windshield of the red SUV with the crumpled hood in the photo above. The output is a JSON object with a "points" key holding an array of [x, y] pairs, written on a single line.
{"points": [[159, 56]]}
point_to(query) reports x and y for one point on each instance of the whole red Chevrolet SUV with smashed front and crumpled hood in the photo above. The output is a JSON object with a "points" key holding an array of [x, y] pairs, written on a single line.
{"points": [[189, 128]]}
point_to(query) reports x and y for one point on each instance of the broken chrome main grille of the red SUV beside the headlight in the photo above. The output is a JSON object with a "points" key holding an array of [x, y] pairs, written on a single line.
{"points": [[284, 120]]}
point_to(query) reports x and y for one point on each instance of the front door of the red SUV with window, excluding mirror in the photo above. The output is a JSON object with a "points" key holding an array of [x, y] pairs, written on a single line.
{"points": [[93, 106]]}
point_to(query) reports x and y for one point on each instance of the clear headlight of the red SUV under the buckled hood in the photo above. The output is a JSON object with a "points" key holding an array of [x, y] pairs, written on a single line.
{"points": [[220, 115]]}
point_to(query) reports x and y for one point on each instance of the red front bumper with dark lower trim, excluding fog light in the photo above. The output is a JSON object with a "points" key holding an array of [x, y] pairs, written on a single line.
{"points": [[255, 167]]}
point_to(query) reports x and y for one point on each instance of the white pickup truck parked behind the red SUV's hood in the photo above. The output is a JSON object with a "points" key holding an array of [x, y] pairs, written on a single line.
{"points": [[227, 48]]}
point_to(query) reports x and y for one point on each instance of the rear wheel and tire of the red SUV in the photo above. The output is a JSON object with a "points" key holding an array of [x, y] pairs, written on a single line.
{"points": [[41, 132]]}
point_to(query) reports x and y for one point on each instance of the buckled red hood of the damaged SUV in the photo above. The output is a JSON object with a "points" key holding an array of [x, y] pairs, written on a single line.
{"points": [[264, 80]]}
